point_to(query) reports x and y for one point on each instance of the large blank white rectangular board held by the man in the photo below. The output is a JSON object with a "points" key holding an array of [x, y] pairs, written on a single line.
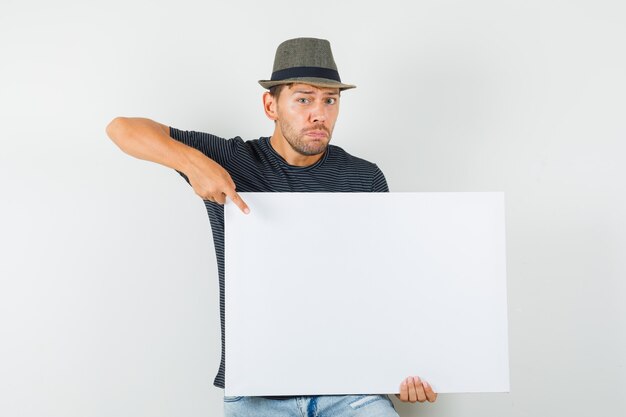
{"points": [[338, 293]]}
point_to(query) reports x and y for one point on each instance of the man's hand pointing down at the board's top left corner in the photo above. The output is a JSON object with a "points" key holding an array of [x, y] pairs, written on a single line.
{"points": [[211, 181]]}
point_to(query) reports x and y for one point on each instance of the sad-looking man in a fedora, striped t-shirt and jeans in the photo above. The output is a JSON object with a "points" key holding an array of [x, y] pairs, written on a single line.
{"points": [[303, 101]]}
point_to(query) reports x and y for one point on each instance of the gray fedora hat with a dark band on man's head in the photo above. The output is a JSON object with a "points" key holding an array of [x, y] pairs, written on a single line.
{"points": [[307, 61]]}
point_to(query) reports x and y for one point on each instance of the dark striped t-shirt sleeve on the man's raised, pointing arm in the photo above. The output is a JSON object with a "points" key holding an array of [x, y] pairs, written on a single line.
{"points": [[218, 149]]}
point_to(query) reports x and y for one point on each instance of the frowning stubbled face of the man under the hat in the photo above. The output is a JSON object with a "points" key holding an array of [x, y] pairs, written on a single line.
{"points": [[306, 117]]}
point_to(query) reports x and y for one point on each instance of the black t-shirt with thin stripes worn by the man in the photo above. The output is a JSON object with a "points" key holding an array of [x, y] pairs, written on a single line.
{"points": [[256, 167]]}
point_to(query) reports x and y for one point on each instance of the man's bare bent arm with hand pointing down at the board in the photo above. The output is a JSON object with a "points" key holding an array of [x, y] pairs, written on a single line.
{"points": [[148, 140]]}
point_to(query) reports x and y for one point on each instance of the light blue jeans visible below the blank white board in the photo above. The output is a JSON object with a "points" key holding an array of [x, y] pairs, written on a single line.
{"points": [[315, 406]]}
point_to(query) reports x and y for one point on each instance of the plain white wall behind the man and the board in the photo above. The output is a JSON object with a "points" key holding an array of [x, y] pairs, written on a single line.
{"points": [[108, 286]]}
